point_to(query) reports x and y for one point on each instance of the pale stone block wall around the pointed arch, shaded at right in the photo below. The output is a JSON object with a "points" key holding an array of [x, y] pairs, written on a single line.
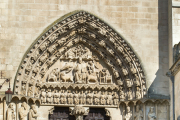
{"points": [[142, 23]]}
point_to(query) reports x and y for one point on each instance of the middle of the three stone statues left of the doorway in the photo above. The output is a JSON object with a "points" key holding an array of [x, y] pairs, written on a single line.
{"points": [[23, 111]]}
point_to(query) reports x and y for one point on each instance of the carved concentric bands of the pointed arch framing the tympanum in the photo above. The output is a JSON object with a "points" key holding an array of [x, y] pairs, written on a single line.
{"points": [[83, 28]]}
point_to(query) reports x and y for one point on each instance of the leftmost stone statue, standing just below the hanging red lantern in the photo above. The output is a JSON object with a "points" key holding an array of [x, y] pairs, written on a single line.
{"points": [[10, 112]]}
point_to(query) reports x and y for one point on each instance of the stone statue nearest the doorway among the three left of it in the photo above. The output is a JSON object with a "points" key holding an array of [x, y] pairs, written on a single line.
{"points": [[33, 114]]}
